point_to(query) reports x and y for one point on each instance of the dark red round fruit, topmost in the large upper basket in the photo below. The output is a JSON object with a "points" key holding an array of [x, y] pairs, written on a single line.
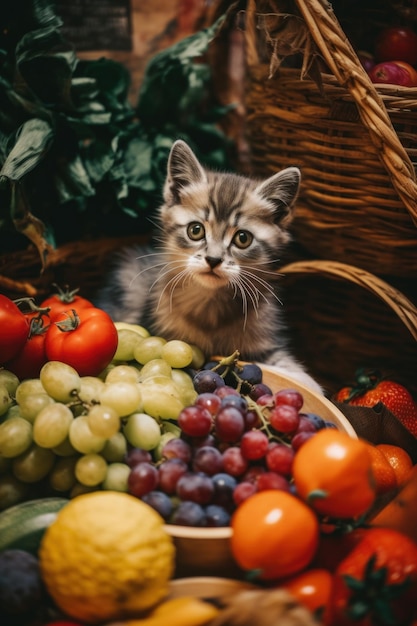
{"points": [[396, 43]]}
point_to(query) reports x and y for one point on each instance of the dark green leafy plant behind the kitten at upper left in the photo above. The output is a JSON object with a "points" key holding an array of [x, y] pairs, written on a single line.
{"points": [[76, 158]]}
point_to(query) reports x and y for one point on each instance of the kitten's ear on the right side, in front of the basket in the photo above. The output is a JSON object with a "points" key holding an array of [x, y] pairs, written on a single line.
{"points": [[282, 190]]}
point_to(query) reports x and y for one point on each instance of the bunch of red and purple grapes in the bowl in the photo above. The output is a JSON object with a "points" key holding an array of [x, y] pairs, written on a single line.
{"points": [[237, 438]]}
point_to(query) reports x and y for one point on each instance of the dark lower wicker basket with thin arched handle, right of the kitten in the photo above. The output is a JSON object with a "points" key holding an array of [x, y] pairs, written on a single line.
{"points": [[342, 317]]}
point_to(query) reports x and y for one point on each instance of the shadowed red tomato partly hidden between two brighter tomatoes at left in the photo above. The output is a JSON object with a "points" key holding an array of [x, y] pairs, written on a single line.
{"points": [[28, 362]]}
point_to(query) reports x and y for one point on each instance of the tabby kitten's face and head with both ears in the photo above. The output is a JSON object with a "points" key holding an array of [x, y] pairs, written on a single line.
{"points": [[223, 229]]}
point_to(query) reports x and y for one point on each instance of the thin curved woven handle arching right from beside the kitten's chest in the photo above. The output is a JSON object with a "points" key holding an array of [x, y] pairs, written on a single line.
{"points": [[397, 301]]}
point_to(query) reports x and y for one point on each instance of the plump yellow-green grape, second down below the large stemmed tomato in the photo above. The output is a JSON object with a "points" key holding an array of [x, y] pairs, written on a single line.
{"points": [[52, 424]]}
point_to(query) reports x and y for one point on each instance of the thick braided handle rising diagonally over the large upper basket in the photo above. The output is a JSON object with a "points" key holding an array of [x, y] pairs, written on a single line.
{"points": [[342, 60]]}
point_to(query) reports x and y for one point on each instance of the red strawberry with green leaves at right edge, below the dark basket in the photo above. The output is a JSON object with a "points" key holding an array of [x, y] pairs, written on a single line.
{"points": [[370, 389]]}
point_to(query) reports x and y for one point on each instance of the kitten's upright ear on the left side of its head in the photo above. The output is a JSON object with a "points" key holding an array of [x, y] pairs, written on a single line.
{"points": [[183, 169]]}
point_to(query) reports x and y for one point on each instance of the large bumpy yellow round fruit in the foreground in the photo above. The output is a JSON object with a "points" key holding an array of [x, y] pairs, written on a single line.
{"points": [[106, 556]]}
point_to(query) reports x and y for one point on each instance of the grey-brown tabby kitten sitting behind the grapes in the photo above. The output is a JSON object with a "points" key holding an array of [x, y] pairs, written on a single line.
{"points": [[212, 281]]}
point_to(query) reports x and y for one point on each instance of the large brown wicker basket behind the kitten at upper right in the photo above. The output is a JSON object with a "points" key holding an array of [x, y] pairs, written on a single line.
{"points": [[355, 144]]}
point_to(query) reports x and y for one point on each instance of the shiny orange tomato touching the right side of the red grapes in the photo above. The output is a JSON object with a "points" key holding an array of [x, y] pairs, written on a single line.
{"points": [[333, 473]]}
